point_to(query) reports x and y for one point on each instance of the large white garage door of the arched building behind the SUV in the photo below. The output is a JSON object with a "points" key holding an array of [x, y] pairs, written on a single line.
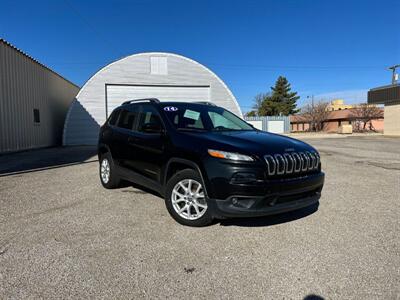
{"points": [[116, 94]]}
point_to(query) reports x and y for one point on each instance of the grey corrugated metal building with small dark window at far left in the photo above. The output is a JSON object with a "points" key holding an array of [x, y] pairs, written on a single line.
{"points": [[25, 86]]}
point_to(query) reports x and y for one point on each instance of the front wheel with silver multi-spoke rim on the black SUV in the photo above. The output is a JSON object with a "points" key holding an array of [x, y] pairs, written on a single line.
{"points": [[185, 199]]}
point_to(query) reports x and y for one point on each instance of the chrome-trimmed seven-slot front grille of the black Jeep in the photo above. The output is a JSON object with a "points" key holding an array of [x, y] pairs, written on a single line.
{"points": [[292, 163]]}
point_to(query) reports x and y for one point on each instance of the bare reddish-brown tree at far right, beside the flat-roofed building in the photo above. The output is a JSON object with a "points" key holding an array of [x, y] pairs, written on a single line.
{"points": [[363, 115]]}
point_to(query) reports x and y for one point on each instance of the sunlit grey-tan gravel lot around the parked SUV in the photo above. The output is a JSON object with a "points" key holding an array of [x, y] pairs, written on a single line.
{"points": [[63, 236]]}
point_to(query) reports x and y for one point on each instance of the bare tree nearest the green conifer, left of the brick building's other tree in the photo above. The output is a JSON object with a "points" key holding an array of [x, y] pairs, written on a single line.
{"points": [[315, 114]]}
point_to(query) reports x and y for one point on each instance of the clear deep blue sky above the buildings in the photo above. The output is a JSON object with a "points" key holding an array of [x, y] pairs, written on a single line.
{"points": [[326, 49]]}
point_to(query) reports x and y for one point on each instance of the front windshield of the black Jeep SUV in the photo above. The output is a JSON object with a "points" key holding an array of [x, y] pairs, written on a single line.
{"points": [[195, 117]]}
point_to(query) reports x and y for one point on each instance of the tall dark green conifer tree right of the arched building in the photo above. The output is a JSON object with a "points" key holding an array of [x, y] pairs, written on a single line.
{"points": [[281, 101]]}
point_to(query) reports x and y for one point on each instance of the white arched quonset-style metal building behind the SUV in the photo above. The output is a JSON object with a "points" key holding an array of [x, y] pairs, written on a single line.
{"points": [[166, 76]]}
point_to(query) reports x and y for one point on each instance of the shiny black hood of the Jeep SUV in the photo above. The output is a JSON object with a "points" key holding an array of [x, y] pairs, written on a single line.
{"points": [[254, 142]]}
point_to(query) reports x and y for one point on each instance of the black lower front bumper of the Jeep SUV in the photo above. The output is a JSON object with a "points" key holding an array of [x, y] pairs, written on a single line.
{"points": [[272, 197]]}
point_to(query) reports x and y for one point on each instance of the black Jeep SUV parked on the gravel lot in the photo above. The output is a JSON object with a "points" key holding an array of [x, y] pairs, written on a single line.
{"points": [[206, 162]]}
